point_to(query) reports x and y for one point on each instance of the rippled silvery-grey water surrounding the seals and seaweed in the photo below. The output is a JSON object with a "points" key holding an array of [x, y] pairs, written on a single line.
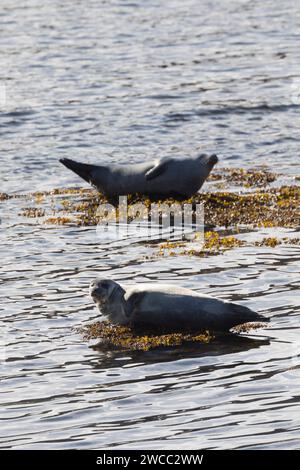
{"points": [[129, 81]]}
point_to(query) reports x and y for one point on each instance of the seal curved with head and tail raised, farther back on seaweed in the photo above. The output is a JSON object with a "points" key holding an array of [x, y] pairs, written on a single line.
{"points": [[179, 178]]}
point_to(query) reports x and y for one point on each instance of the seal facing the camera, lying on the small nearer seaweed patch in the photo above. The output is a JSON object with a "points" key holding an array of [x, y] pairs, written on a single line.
{"points": [[167, 307]]}
